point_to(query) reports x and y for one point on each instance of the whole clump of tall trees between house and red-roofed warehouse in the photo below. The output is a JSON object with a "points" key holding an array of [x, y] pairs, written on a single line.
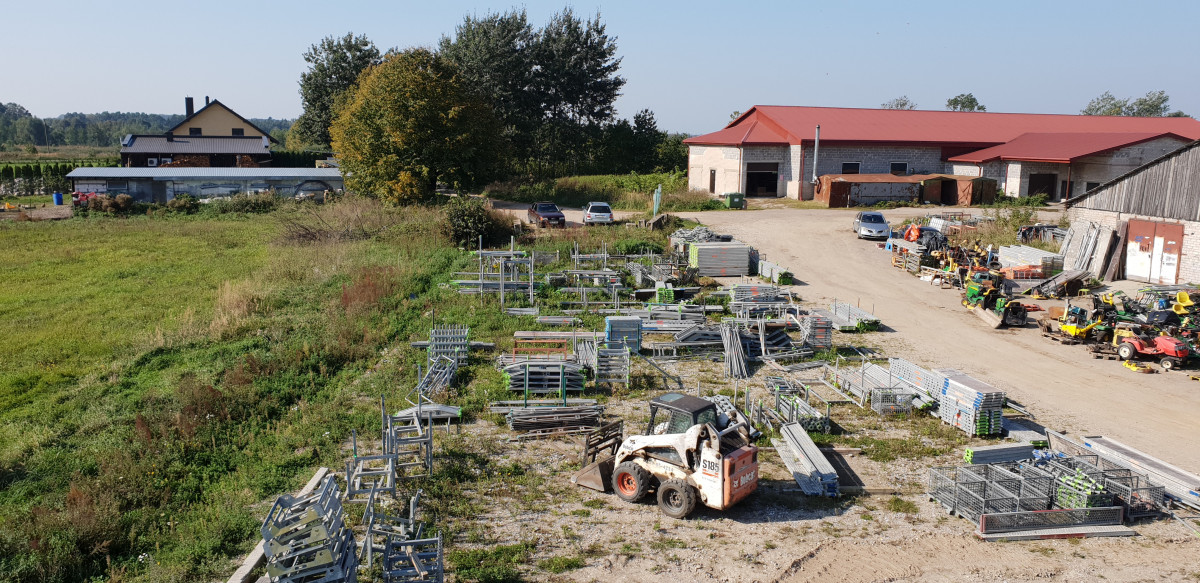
{"points": [[500, 99]]}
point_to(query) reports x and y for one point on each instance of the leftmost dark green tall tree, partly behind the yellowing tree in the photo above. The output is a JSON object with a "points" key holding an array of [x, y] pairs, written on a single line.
{"points": [[334, 65]]}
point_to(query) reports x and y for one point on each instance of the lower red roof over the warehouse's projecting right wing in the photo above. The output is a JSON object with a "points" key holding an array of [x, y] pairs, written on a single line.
{"points": [[1061, 148]]}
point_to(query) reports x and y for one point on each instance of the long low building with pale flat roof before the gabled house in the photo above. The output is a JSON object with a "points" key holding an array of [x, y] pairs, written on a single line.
{"points": [[160, 185]]}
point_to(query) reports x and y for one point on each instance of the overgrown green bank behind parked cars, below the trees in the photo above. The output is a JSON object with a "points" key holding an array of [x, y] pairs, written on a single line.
{"points": [[629, 193]]}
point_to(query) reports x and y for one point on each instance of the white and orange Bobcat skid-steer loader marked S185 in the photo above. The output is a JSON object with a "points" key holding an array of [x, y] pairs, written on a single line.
{"points": [[692, 453]]}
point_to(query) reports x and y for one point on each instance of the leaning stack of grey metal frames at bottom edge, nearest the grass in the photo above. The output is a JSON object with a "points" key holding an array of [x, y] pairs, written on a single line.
{"points": [[305, 539]]}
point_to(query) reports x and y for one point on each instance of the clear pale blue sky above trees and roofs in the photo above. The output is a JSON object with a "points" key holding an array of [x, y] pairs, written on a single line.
{"points": [[691, 63]]}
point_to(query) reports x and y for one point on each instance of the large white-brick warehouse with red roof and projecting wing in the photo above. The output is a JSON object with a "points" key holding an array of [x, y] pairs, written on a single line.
{"points": [[770, 151]]}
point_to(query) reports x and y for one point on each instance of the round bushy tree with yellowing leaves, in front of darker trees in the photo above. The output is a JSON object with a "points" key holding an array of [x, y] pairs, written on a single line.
{"points": [[410, 124]]}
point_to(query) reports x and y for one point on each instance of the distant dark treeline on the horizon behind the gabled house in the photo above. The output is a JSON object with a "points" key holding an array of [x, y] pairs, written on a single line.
{"points": [[21, 129]]}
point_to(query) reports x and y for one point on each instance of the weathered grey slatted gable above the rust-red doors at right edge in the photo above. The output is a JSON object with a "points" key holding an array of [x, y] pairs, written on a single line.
{"points": [[1168, 189]]}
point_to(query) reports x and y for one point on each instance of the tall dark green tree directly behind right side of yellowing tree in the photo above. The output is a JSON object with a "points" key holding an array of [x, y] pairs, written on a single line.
{"points": [[495, 57]]}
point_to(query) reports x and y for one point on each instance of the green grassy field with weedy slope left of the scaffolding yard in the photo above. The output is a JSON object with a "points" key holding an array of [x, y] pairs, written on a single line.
{"points": [[164, 376]]}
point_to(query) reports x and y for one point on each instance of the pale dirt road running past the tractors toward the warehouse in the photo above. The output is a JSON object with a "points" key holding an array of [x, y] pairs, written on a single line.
{"points": [[1065, 388]]}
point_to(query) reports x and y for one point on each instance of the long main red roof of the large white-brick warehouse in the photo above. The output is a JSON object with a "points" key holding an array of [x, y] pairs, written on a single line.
{"points": [[796, 124]]}
